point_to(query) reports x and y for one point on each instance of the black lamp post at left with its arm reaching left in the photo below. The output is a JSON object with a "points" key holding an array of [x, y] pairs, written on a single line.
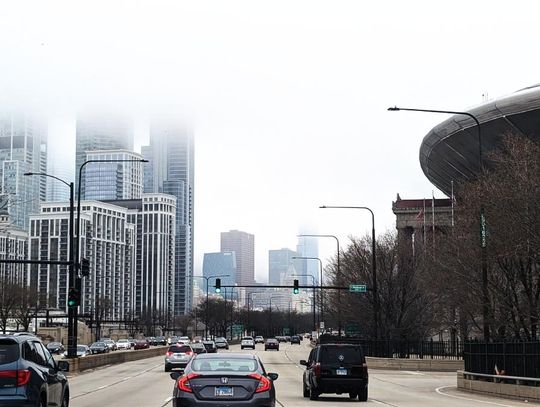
{"points": [[72, 311]]}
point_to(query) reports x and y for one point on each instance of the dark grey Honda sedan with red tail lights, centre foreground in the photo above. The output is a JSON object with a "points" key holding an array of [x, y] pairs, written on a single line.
{"points": [[222, 379]]}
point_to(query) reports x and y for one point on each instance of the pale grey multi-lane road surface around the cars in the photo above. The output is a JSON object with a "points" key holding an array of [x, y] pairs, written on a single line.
{"points": [[144, 383]]}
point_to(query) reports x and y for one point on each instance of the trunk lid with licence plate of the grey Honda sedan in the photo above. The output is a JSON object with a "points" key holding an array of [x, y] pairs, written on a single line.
{"points": [[224, 387]]}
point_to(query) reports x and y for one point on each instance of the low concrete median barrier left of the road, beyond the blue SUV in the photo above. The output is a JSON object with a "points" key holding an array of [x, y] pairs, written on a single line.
{"points": [[112, 358]]}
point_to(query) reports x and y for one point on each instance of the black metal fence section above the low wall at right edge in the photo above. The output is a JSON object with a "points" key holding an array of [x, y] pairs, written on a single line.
{"points": [[514, 358]]}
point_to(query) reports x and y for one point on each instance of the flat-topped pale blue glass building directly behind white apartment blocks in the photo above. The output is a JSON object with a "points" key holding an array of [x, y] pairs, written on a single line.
{"points": [[113, 180]]}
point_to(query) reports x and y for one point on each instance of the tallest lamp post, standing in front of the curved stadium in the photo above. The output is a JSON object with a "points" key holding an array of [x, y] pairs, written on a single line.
{"points": [[483, 241]]}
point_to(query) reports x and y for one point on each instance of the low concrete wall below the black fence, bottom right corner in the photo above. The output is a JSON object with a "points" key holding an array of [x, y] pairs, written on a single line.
{"points": [[496, 387]]}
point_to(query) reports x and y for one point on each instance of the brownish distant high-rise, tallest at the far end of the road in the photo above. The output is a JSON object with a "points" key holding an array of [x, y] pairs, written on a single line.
{"points": [[243, 245]]}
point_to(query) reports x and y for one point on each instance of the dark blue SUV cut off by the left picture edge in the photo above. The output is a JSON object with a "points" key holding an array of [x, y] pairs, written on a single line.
{"points": [[29, 376]]}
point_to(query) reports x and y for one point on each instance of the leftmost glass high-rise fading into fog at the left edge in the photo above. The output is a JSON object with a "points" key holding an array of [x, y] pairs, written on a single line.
{"points": [[23, 148]]}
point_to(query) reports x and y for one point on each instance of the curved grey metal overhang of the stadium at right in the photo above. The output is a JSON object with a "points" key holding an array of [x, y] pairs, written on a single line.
{"points": [[450, 151]]}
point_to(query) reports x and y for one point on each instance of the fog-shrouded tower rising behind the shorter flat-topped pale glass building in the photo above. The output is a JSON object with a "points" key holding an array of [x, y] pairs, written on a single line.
{"points": [[99, 133]]}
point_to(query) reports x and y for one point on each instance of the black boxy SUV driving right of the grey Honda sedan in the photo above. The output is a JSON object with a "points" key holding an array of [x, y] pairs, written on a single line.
{"points": [[336, 368]]}
